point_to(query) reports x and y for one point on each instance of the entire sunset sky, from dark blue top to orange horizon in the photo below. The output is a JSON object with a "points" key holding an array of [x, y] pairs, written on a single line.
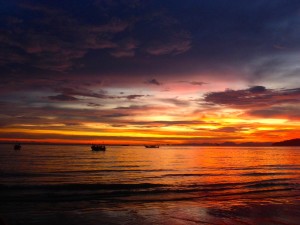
{"points": [[159, 71]]}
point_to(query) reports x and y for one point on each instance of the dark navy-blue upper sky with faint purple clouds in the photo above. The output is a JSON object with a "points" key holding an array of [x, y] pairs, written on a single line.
{"points": [[146, 37]]}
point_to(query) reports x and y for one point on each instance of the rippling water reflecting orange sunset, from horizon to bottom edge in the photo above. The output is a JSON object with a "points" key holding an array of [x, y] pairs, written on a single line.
{"points": [[56, 184]]}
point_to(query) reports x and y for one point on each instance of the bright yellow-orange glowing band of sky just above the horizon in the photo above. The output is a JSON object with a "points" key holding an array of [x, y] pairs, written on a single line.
{"points": [[163, 124]]}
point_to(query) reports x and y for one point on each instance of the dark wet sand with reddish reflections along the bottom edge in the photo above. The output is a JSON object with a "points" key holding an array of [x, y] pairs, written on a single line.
{"points": [[160, 214]]}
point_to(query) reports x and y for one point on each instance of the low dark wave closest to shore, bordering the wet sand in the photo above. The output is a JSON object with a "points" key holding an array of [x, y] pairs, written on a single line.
{"points": [[156, 195]]}
